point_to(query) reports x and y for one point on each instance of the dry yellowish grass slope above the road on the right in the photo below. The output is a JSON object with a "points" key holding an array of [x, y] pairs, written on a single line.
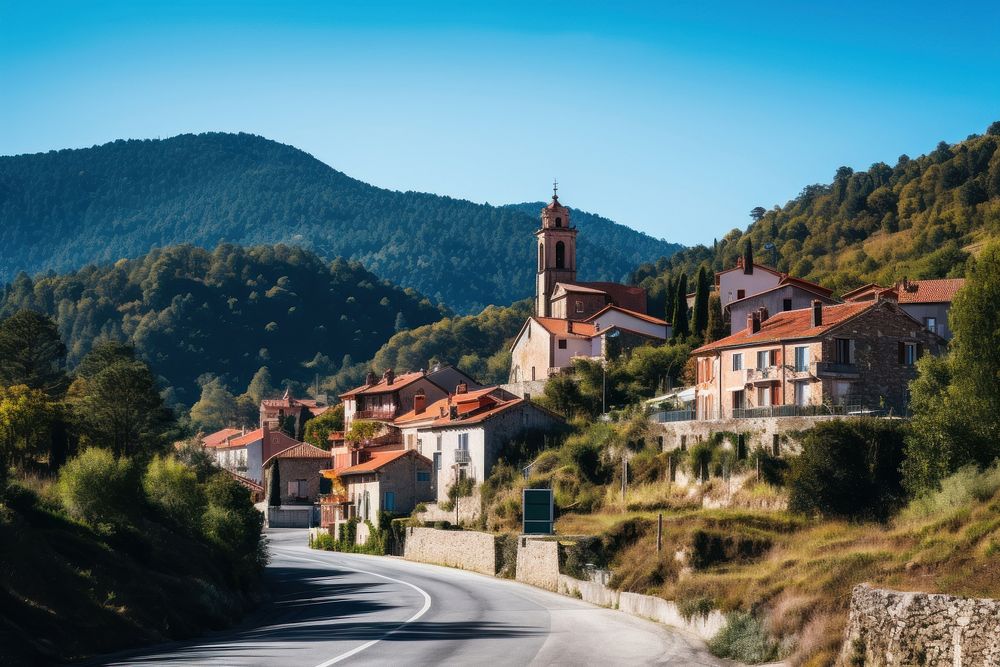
{"points": [[799, 587]]}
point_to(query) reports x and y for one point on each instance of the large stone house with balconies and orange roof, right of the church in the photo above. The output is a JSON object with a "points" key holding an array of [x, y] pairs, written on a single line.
{"points": [[859, 354]]}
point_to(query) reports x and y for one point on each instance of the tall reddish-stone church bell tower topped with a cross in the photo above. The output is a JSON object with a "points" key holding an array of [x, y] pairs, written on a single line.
{"points": [[556, 253]]}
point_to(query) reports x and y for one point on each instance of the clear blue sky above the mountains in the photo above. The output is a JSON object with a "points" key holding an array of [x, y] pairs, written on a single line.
{"points": [[673, 118]]}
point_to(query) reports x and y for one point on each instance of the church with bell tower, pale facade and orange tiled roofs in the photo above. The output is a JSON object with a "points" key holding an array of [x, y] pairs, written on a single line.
{"points": [[575, 319]]}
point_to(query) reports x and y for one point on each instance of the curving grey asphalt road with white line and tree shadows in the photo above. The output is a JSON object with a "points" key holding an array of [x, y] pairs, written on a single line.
{"points": [[331, 608]]}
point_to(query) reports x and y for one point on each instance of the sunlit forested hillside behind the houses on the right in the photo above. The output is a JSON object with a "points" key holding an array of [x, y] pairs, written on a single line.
{"points": [[921, 218]]}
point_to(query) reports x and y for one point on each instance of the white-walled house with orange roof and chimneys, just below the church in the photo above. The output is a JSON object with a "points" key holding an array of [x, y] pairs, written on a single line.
{"points": [[464, 434]]}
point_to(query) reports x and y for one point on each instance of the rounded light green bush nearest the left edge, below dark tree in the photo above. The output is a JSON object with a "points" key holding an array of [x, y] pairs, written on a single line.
{"points": [[98, 488]]}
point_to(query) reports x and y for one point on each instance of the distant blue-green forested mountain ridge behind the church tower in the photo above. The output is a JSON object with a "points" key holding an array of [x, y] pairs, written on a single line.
{"points": [[62, 209]]}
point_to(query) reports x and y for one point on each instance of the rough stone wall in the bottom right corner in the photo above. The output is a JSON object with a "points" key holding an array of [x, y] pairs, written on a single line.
{"points": [[892, 628]]}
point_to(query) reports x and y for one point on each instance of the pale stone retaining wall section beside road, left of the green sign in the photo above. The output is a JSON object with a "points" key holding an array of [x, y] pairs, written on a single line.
{"points": [[465, 549]]}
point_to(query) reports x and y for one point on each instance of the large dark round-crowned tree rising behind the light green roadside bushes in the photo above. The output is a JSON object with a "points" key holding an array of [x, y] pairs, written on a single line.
{"points": [[118, 406]]}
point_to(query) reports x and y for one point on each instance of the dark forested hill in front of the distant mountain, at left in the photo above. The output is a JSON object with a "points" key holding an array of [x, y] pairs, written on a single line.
{"points": [[190, 312]]}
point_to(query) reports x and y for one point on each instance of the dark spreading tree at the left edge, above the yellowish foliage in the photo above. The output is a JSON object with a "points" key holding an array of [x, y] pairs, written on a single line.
{"points": [[32, 353]]}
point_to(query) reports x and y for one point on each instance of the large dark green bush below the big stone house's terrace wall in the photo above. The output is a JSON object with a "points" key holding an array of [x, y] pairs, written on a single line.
{"points": [[849, 469]]}
